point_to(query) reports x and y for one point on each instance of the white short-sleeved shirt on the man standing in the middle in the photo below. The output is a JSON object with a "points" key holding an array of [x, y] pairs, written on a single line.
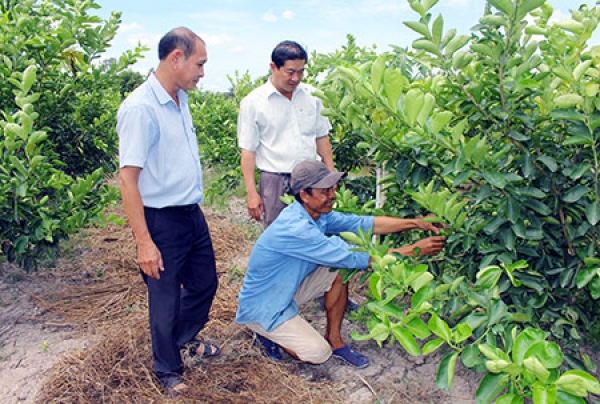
{"points": [[280, 131]]}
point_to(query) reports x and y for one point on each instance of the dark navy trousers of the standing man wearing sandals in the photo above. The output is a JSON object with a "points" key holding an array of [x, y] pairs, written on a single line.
{"points": [[180, 300]]}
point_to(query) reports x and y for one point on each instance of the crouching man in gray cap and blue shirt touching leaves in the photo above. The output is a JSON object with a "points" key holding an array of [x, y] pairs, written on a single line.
{"points": [[290, 262]]}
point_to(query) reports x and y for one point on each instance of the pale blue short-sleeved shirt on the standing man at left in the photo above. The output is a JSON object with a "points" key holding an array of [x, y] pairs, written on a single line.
{"points": [[159, 137]]}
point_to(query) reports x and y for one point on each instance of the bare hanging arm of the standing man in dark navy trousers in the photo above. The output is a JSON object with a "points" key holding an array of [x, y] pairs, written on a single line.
{"points": [[148, 256]]}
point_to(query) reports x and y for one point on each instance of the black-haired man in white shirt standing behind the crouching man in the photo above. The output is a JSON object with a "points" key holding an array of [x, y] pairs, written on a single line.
{"points": [[280, 124]]}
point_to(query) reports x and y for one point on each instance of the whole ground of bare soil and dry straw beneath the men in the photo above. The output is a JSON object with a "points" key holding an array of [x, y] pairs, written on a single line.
{"points": [[76, 332]]}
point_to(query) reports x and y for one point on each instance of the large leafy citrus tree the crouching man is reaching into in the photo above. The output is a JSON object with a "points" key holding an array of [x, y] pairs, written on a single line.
{"points": [[496, 134]]}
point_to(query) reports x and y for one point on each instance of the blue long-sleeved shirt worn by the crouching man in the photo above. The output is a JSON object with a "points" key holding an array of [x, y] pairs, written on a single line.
{"points": [[290, 249]]}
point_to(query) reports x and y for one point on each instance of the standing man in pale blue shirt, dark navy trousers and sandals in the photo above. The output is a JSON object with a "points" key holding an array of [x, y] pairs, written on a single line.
{"points": [[161, 186]]}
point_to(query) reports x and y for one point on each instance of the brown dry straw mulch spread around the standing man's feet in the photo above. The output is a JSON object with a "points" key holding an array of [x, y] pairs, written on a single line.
{"points": [[98, 289]]}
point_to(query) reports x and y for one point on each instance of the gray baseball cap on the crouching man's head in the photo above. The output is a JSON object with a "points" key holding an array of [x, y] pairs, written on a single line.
{"points": [[313, 174]]}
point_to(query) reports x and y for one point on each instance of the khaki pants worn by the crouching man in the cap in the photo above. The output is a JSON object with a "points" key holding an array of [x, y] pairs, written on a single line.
{"points": [[297, 334]]}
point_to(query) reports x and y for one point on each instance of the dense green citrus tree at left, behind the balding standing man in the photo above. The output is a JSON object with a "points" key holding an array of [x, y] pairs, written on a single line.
{"points": [[58, 122]]}
